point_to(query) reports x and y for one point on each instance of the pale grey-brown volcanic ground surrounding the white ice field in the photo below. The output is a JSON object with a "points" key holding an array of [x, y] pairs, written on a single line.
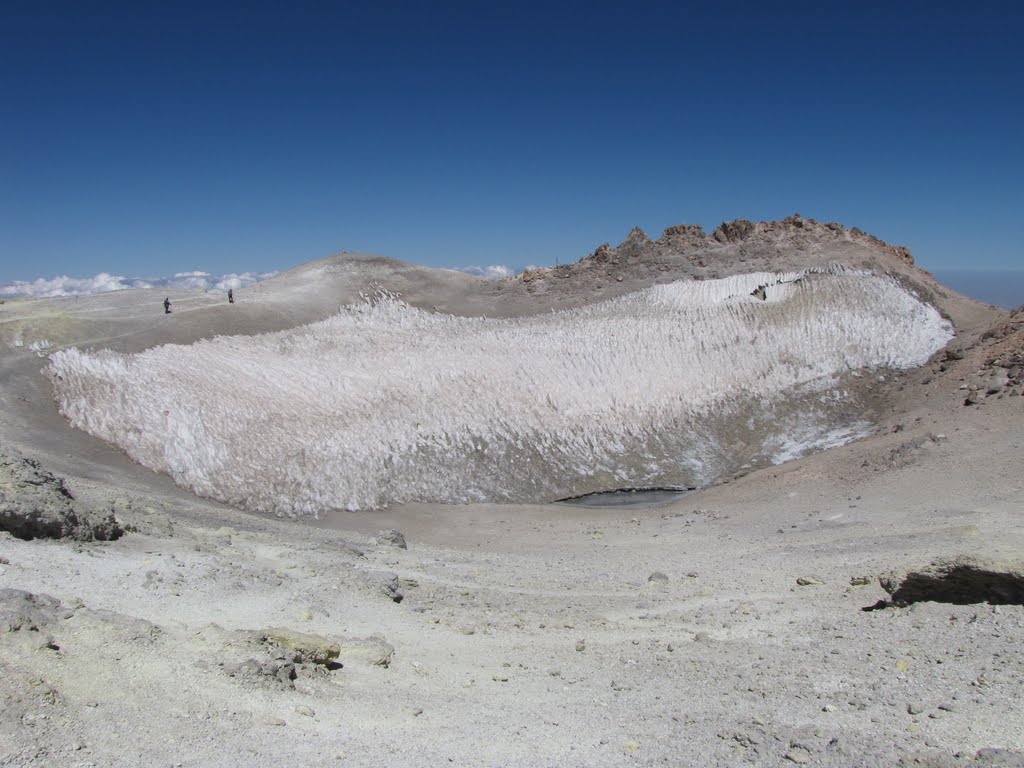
{"points": [[724, 628]]}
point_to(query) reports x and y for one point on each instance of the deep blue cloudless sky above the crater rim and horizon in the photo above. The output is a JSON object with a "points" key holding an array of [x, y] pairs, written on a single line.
{"points": [[152, 138]]}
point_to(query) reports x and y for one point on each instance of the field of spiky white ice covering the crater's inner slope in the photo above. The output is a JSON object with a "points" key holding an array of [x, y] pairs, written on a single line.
{"points": [[388, 403]]}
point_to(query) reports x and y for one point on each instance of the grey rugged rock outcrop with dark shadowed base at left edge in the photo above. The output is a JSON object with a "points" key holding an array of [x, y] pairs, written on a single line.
{"points": [[34, 504]]}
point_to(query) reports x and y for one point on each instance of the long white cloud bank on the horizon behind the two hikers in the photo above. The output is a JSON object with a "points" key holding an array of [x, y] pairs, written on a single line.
{"points": [[103, 283]]}
